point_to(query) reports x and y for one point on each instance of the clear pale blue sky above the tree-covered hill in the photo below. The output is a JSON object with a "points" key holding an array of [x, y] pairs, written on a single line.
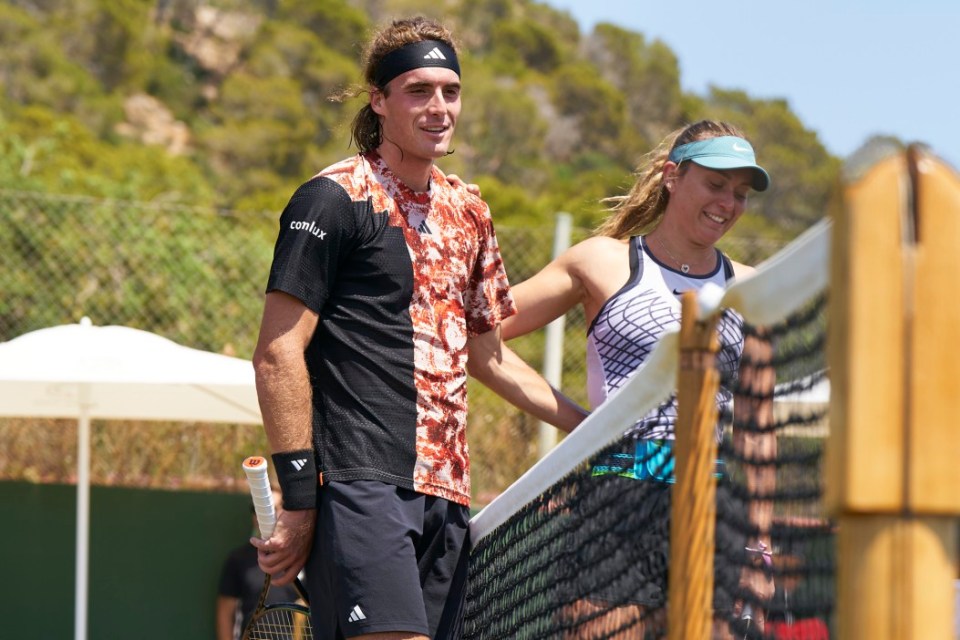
{"points": [[849, 69]]}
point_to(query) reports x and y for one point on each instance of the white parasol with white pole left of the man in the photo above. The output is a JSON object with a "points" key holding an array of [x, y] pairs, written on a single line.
{"points": [[83, 371]]}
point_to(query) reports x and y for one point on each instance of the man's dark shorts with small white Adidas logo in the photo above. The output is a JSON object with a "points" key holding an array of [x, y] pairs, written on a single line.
{"points": [[385, 559]]}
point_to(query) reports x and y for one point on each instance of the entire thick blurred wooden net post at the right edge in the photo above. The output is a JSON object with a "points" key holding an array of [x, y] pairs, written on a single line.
{"points": [[892, 461]]}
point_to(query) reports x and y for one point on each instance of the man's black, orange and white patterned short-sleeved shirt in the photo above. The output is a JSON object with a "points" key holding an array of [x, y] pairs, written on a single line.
{"points": [[400, 280]]}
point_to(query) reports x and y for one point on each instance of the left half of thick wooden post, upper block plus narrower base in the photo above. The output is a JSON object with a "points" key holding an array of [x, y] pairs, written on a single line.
{"points": [[865, 484]]}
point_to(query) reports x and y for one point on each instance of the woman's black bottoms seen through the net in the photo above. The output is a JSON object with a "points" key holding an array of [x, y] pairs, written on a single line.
{"points": [[622, 545]]}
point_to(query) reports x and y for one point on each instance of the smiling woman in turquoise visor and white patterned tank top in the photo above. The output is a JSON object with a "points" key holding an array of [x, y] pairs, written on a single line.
{"points": [[659, 242]]}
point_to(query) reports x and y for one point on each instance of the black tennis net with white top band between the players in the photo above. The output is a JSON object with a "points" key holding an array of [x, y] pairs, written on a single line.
{"points": [[578, 546]]}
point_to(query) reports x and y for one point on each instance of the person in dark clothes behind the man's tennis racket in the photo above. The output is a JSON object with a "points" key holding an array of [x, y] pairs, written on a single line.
{"points": [[241, 581]]}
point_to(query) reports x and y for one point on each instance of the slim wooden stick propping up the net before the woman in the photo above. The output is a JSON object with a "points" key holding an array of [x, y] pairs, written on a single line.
{"points": [[693, 513]]}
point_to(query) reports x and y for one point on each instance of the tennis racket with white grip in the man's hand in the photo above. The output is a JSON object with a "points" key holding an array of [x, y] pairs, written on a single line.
{"points": [[283, 621]]}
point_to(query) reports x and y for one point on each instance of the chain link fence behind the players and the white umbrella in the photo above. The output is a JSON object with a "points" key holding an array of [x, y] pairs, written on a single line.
{"points": [[196, 276]]}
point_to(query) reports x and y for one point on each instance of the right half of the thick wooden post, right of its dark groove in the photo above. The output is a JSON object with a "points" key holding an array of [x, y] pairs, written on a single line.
{"points": [[932, 437]]}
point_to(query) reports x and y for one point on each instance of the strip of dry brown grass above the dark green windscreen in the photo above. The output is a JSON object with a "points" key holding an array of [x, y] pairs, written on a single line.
{"points": [[163, 455]]}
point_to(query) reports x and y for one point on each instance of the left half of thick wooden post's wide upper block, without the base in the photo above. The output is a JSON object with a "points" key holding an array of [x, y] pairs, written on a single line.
{"points": [[866, 338]]}
